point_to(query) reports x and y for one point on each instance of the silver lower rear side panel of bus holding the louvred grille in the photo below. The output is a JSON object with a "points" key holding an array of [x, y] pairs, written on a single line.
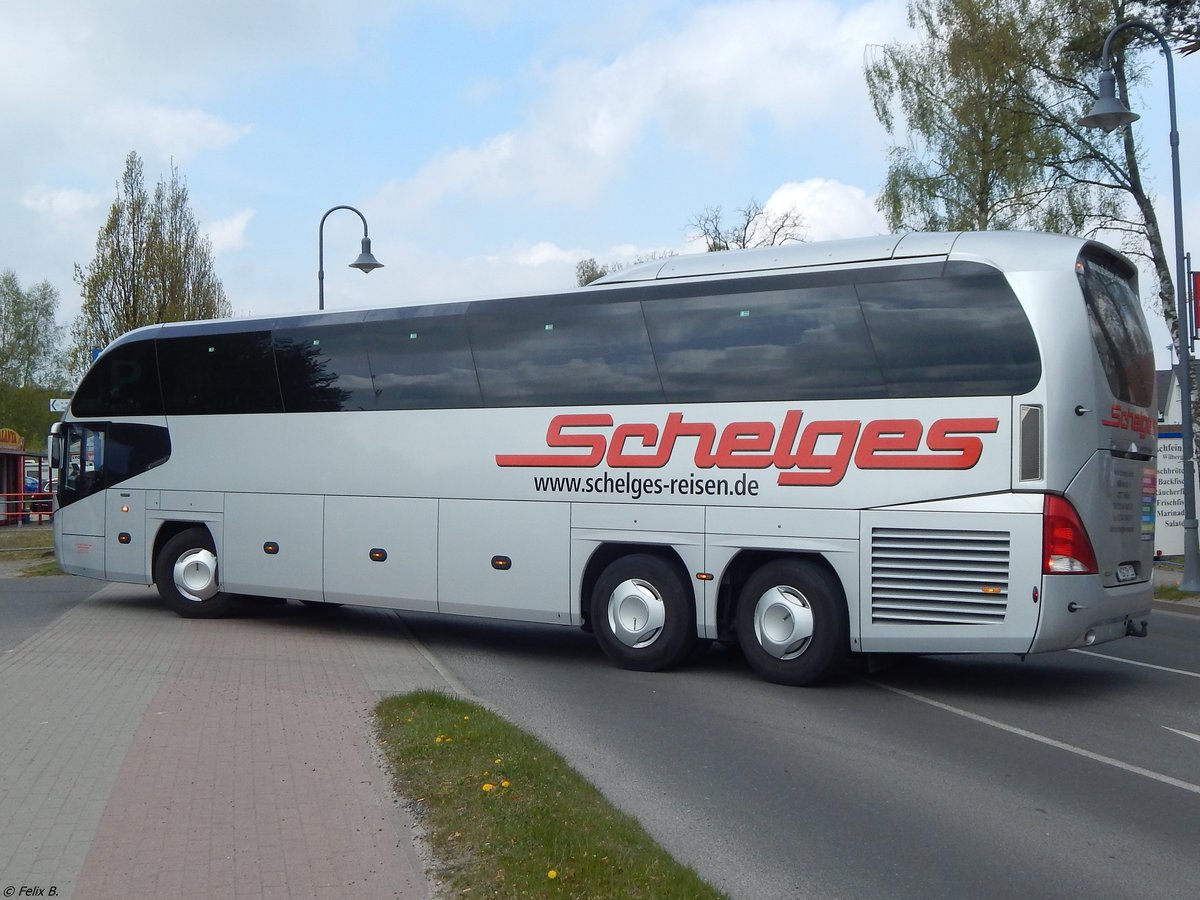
{"points": [[951, 583]]}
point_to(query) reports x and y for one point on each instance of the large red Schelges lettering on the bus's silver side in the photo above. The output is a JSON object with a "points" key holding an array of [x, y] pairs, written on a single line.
{"points": [[820, 454]]}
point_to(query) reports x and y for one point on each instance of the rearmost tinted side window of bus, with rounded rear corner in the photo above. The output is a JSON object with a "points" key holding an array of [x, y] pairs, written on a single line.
{"points": [[963, 335]]}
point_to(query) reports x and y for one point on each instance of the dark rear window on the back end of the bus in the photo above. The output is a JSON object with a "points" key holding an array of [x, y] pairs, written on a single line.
{"points": [[1119, 329]]}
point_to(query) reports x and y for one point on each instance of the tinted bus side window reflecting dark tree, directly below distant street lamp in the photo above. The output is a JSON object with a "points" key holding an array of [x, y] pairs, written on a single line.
{"points": [[323, 369]]}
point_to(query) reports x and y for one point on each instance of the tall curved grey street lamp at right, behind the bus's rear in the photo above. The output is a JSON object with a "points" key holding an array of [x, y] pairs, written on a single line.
{"points": [[1111, 113]]}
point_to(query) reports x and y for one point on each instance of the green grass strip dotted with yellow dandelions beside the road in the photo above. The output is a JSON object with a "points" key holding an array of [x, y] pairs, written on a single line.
{"points": [[506, 817]]}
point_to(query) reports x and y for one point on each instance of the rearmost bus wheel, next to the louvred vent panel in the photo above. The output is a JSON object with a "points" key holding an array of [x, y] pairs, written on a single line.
{"points": [[793, 622]]}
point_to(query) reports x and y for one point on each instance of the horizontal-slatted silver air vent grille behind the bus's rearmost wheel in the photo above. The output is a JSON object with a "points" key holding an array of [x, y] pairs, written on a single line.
{"points": [[939, 578]]}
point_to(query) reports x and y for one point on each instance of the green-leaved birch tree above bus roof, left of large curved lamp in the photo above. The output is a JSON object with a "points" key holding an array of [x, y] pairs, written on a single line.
{"points": [[977, 151]]}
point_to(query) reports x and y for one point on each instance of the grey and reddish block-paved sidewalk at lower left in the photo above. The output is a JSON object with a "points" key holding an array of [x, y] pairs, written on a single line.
{"points": [[143, 755]]}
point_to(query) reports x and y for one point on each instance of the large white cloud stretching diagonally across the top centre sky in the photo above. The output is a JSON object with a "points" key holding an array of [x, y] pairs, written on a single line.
{"points": [[791, 63]]}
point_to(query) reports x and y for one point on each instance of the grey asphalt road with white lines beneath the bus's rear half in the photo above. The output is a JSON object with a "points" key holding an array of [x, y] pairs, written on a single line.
{"points": [[1071, 775]]}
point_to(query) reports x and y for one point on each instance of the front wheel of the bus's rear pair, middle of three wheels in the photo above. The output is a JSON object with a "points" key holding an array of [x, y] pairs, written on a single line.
{"points": [[643, 614]]}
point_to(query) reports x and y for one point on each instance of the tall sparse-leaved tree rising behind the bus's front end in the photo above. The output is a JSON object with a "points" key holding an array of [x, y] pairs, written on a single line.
{"points": [[152, 266]]}
